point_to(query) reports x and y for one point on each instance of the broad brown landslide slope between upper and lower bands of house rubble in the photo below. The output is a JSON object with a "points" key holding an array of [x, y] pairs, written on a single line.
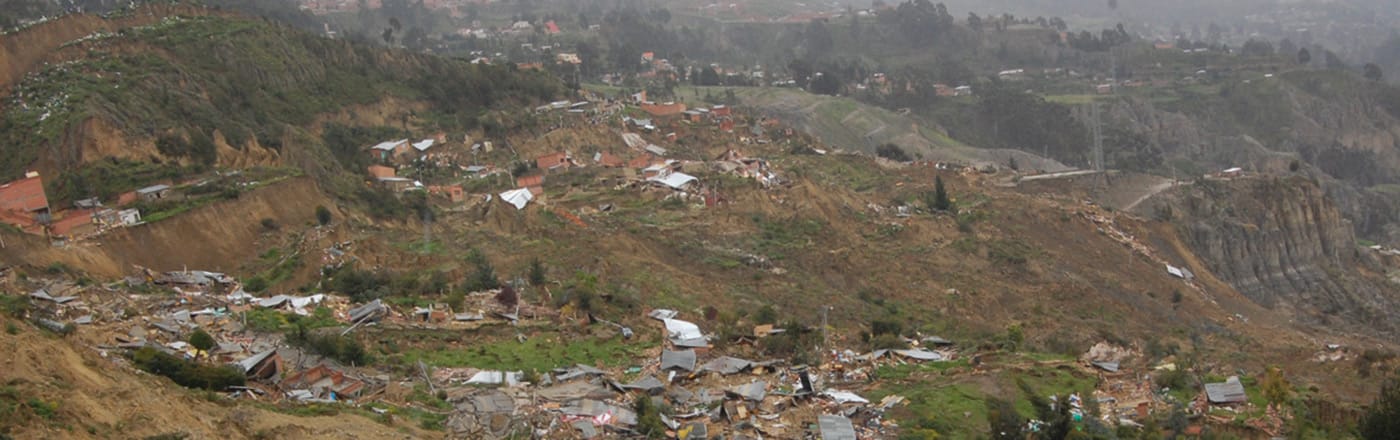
{"points": [[1052, 266]]}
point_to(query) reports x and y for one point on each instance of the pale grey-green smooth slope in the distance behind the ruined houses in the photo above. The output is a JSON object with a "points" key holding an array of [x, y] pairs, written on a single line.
{"points": [[857, 127]]}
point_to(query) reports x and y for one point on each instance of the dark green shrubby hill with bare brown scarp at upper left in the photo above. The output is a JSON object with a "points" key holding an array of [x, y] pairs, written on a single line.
{"points": [[233, 92]]}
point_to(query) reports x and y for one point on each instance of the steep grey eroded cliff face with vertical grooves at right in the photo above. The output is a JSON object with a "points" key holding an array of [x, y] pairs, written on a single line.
{"points": [[1286, 246]]}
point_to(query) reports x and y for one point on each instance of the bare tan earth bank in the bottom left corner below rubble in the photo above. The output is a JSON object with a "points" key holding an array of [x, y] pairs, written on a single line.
{"points": [[61, 389]]}
